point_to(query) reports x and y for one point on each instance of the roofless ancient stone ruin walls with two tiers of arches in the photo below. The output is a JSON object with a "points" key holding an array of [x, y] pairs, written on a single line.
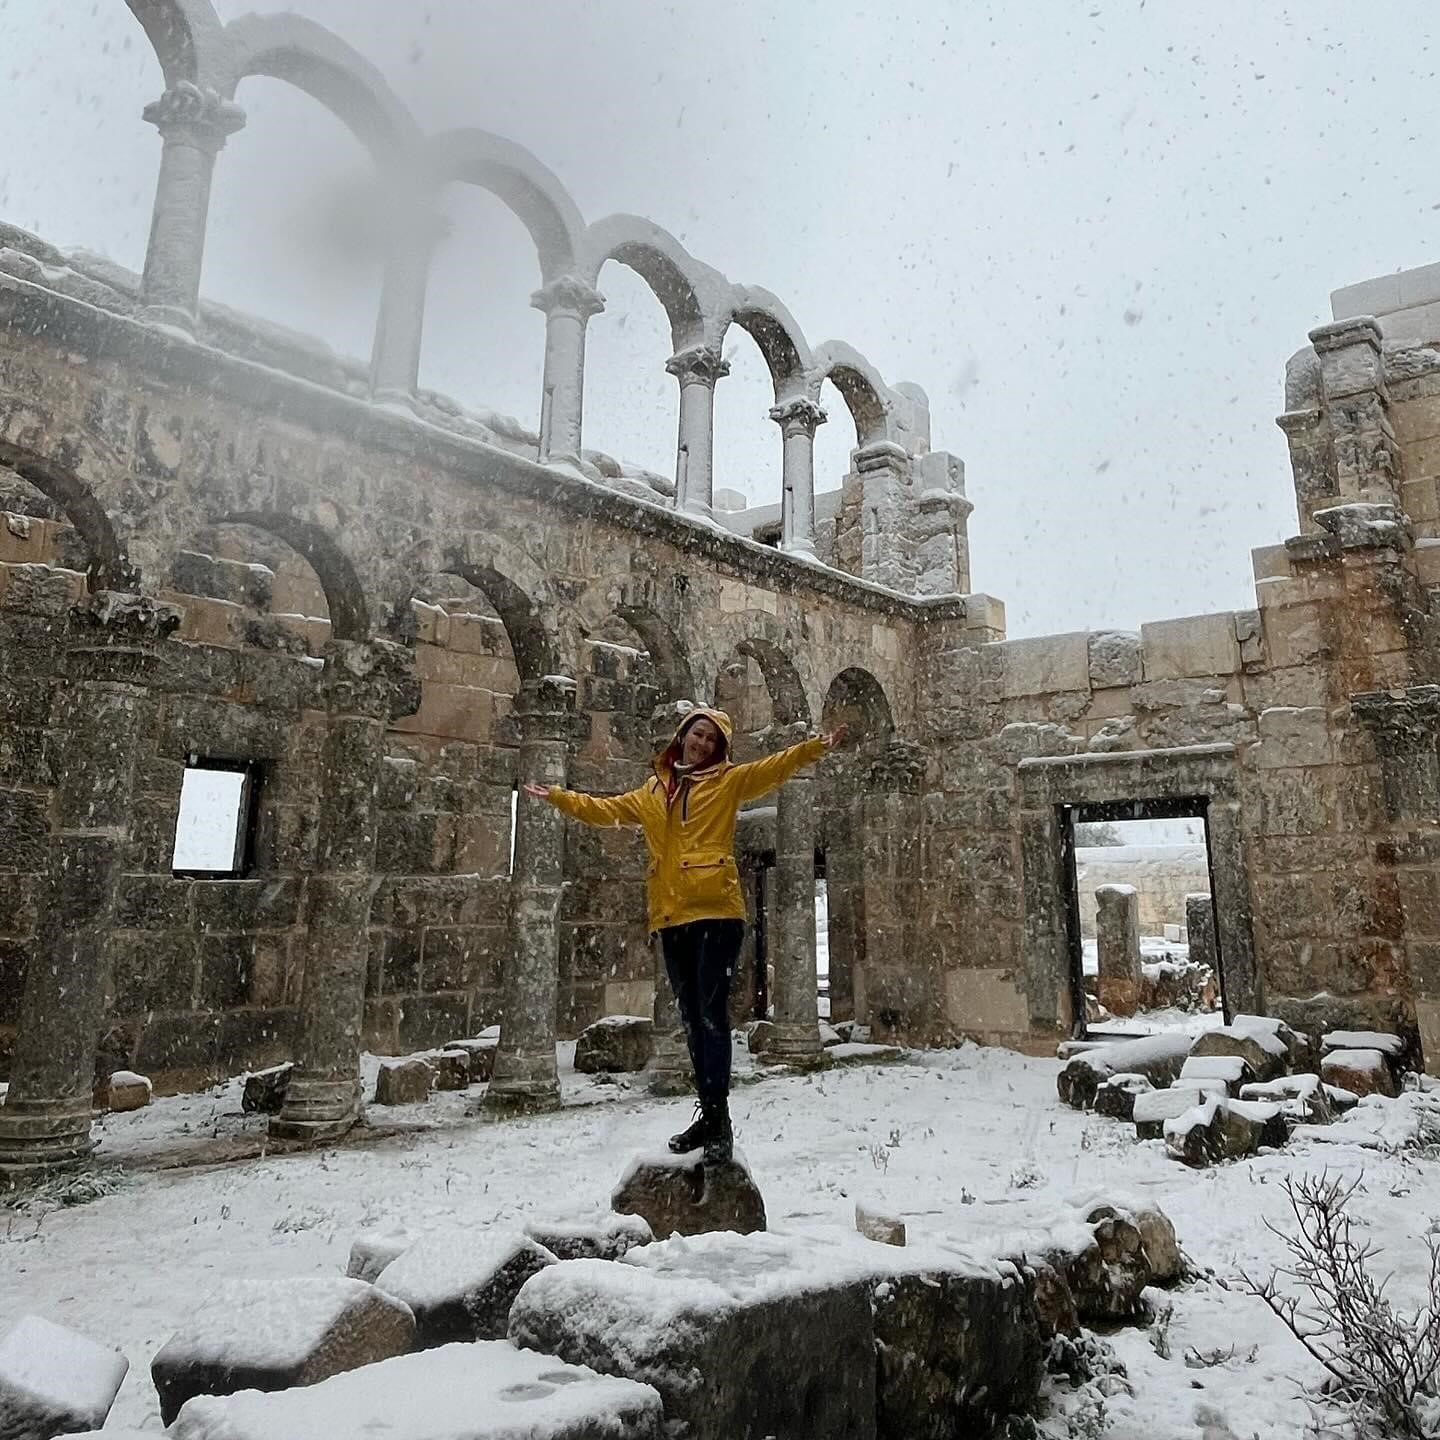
{"points": [[227, 548]]}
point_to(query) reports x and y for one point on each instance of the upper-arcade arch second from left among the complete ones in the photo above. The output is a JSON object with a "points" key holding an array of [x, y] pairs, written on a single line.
{"points": [[522, 182]]}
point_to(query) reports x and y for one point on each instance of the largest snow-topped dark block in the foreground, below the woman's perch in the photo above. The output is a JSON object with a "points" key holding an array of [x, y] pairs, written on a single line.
{"points": [[783, 1351]]}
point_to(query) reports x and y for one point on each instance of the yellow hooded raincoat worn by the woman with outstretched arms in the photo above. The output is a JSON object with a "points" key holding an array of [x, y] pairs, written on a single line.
{"points": [[690, 829]]}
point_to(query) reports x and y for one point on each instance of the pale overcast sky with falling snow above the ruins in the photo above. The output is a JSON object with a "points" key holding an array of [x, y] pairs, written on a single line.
{"points": [[1094, 233]]}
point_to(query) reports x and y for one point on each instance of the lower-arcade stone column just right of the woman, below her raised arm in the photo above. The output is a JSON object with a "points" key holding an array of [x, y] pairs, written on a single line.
{"points": [[793, 931]]}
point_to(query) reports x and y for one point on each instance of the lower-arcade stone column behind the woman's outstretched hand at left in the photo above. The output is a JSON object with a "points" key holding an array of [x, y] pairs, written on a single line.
{"points": [[526, 1076]]}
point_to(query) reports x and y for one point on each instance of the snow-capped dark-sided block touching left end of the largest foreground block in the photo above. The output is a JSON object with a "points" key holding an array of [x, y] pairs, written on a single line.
{"points": [[462, 1284]]}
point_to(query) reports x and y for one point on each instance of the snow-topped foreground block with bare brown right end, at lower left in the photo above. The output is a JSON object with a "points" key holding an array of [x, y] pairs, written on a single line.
{"points": [[277, 1334]]}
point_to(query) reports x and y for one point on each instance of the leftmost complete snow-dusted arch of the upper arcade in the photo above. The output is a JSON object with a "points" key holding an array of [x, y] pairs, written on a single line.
{"points": [[316, 61]]}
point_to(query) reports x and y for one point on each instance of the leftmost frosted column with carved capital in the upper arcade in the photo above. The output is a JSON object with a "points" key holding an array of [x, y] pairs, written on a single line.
{"points": [[194, 125]]}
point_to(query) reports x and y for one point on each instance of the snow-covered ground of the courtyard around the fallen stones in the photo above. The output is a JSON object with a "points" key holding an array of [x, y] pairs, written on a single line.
{"points": [[970, 1144]]}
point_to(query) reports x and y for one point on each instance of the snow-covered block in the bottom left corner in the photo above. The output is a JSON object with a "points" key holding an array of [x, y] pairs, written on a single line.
{"points": [[55, 1382]]}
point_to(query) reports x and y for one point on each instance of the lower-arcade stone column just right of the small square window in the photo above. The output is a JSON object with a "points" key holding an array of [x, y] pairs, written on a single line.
{"points": [[365, 686]]}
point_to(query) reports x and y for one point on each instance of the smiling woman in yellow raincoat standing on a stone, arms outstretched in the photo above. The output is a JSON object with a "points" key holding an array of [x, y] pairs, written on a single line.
{"points": [[688, 811]]}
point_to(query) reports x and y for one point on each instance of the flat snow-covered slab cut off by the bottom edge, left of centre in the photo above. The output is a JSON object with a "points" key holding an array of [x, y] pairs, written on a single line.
{"points": [[487, 1390]]}
